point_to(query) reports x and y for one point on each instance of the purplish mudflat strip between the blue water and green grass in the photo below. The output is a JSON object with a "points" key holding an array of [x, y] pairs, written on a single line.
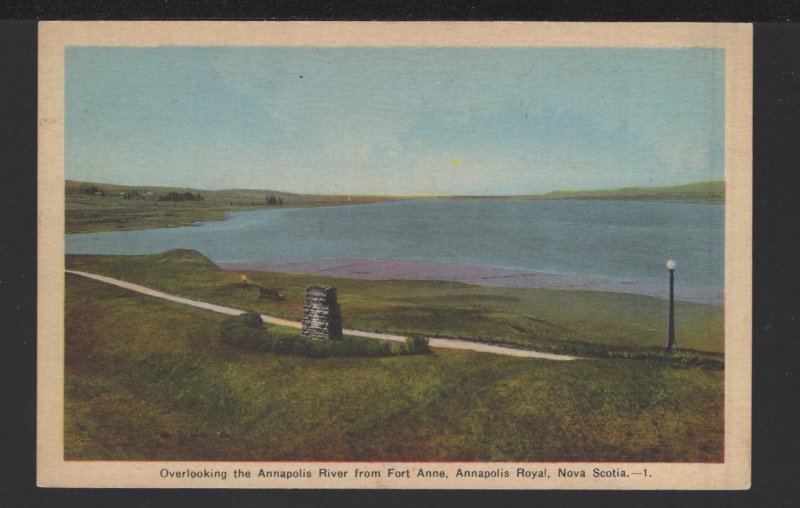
{"points": [[387, 269]]}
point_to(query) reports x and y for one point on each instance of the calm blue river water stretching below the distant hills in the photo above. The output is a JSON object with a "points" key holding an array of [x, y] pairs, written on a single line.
{"points": [[606, 239]]}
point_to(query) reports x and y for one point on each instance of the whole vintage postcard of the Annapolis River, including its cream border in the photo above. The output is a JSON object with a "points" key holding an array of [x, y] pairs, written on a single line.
{"points": [[371, 255]]}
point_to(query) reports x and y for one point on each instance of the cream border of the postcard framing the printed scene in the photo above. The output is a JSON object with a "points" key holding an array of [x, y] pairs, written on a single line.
{"points": [[736, 39]]}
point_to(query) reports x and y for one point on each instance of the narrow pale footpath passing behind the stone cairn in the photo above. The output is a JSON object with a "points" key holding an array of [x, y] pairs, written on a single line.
{"points": [[434, 341]]}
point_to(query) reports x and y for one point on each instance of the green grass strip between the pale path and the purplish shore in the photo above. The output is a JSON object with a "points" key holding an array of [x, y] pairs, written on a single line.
{"points": [[568, 321]]}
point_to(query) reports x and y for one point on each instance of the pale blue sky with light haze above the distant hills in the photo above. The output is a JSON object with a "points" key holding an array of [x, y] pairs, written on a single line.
{"points": [[483, 121]]}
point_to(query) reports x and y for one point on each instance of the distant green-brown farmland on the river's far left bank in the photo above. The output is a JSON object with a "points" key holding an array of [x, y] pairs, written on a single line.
{"points": [[111, 212]]}
